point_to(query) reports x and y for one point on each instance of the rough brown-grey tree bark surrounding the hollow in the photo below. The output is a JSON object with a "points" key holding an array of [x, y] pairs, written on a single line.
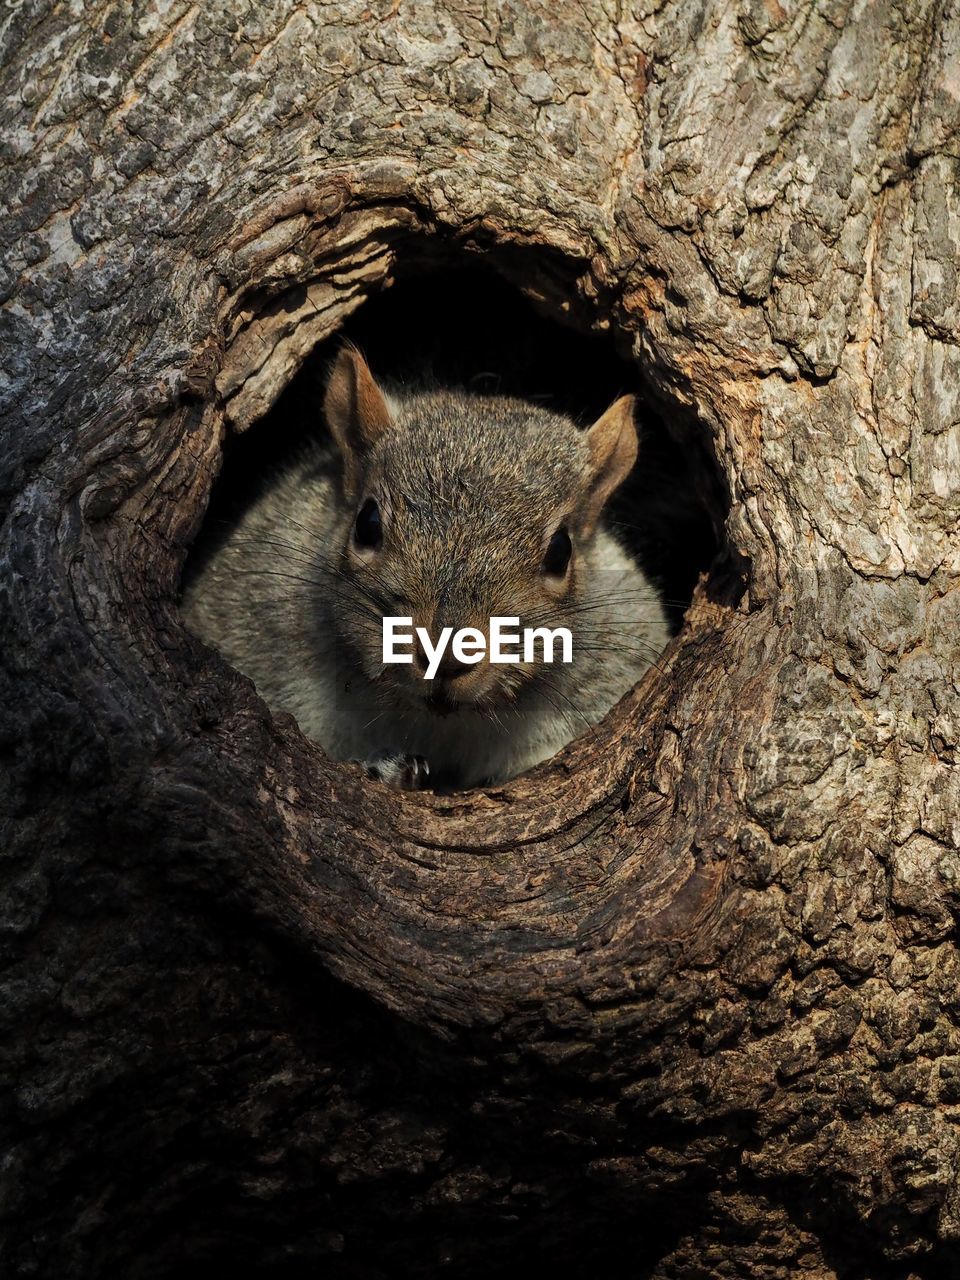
{"points": [[689, 998]]}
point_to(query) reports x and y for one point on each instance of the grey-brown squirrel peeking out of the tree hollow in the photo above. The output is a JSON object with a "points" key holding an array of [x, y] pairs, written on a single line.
{"points": [[449, 509]]}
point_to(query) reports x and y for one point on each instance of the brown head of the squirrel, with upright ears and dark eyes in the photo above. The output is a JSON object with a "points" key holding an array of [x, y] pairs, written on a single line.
{"points": [[459, 509]]}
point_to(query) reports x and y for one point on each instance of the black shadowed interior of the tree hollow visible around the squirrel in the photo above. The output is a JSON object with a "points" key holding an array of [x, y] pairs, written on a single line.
{"points": [[468, 328]]}
